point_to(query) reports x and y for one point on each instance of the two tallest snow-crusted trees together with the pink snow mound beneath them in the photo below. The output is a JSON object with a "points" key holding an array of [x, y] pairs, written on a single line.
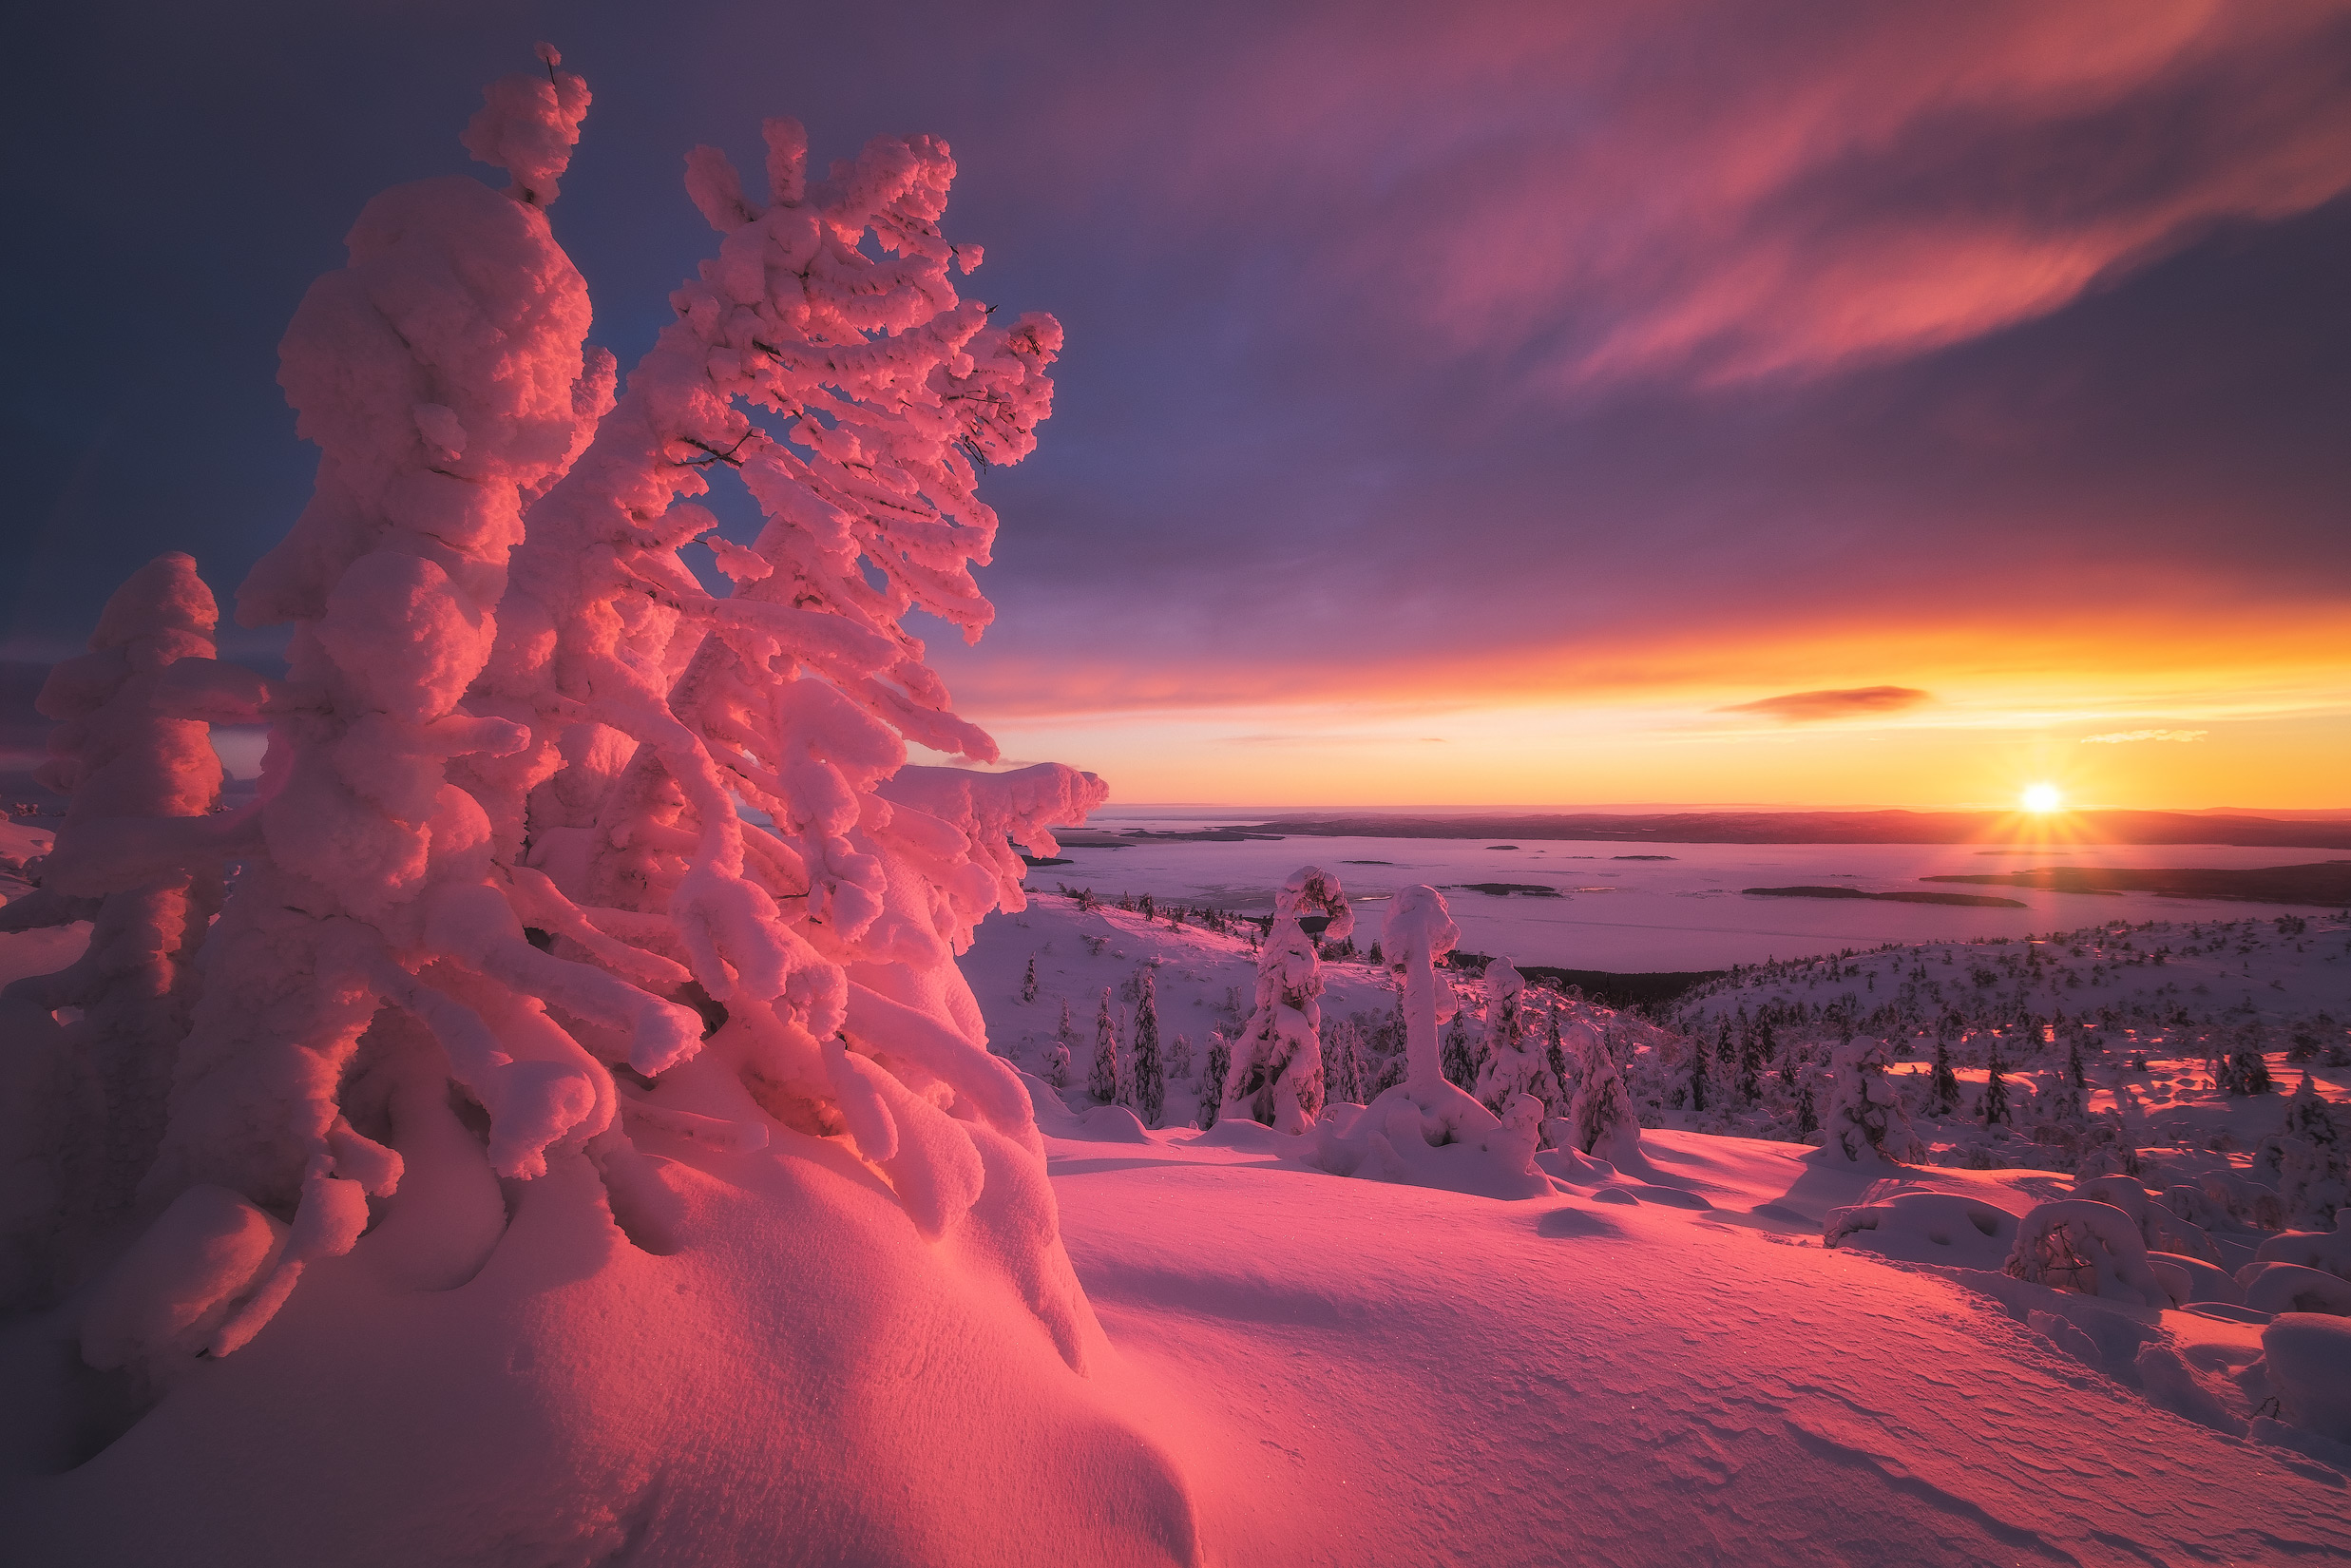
{"points": [[500, 923]]}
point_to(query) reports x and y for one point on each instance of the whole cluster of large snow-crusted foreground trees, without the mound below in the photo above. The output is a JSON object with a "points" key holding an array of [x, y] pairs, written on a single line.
{"points": [[544, 826]]}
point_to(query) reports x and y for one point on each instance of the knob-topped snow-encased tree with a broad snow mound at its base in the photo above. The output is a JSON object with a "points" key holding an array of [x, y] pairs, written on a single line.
{"points": [[1426, 1132]]}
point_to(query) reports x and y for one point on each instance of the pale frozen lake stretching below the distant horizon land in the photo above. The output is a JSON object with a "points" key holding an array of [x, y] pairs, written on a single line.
{"points": [[1682, 913]]}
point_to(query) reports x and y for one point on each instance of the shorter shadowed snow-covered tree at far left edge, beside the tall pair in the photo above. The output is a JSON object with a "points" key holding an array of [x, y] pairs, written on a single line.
{"points": [[86, 1104]]}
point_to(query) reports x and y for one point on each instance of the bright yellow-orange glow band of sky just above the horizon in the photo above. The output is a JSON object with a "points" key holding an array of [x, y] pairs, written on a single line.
{"points": [[1943, 716]]}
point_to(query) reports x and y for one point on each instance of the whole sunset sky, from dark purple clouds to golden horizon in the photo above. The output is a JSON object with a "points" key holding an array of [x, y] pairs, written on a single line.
{"points": [[1637, 401]]}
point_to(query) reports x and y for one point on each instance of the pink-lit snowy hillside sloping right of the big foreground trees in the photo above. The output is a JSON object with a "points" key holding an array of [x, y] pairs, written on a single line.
{"points": [[1395, 1374]]}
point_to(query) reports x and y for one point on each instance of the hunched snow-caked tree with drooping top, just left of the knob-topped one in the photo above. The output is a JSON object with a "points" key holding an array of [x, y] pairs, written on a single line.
{"points": [[1278, 1073]]}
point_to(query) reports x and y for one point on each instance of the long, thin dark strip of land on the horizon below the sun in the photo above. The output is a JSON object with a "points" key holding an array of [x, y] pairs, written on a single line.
{"points": [[1830, 829]]}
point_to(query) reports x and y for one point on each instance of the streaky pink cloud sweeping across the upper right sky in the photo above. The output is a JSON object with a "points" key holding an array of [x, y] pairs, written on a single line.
{"points": [[1717, 194]]}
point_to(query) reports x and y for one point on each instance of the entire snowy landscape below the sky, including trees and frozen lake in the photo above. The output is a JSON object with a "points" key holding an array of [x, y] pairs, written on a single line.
{"points": [[598, 1099]]}
